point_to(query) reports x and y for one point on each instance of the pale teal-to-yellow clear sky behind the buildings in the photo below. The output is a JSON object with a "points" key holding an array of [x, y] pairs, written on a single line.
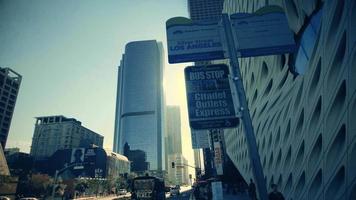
{"points": [[68, 52]]}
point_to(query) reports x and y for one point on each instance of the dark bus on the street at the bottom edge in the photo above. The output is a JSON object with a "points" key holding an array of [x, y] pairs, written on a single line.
{"points": [[148, 188]]}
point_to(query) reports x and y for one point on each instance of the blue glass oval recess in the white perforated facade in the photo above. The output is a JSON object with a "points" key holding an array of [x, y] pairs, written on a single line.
{"points": [[307, 41]]}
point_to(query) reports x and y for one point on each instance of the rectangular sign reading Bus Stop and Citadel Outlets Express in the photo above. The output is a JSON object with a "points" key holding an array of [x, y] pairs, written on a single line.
{"points": [[210, 103]]}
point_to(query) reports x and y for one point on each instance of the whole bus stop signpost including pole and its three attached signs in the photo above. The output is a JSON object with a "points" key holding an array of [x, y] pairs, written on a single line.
{"points": [[266, 32]]}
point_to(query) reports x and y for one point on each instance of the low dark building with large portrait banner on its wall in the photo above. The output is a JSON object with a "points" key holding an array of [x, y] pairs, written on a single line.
{"points": [[93, 162]]}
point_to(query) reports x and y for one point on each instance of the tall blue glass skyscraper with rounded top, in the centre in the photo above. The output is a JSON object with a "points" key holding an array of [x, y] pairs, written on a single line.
{"points": [[139, 106]]}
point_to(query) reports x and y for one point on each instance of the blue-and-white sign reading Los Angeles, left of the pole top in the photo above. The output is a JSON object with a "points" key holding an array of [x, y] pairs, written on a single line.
{"points": [[188, 41]]}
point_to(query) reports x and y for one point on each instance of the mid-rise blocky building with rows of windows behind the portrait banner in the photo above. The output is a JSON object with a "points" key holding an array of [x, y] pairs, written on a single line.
{"points": [[58, 132]]}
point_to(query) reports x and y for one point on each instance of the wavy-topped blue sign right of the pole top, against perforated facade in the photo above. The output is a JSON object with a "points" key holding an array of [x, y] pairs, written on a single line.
{"points": [[265, 32]]}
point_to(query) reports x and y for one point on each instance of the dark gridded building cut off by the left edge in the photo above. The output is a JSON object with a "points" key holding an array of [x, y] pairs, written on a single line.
{"points": [[9, 87]]}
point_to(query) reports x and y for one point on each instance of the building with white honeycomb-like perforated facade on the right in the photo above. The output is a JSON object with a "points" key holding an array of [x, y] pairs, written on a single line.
{"points": [[303, 105]]}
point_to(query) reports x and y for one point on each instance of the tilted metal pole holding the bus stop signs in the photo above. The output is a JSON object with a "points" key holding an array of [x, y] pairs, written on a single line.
{"points": [[246, 118]]}
